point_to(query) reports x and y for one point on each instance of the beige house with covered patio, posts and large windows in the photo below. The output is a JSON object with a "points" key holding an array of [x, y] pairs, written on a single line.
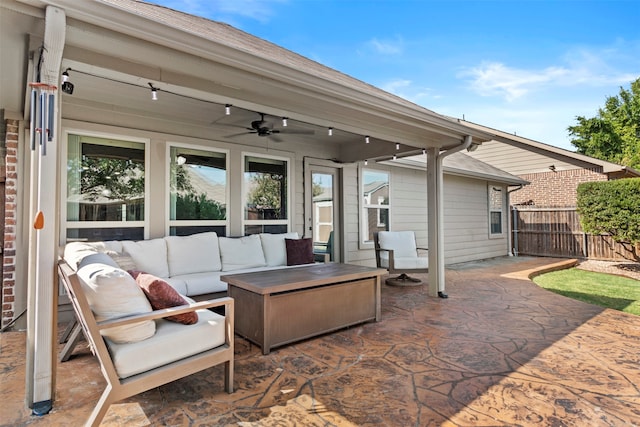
{"points": [[127, 120]]}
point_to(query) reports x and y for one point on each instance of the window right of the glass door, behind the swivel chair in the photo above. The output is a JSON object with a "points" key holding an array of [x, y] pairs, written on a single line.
{"points": [[375, 203]]}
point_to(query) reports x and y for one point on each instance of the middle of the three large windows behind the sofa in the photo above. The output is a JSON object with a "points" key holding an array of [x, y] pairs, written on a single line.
{"points": [[197, 191]]}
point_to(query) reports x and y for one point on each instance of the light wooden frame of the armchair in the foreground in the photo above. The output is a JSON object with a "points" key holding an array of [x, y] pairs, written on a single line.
{"points": [[118, 389]]}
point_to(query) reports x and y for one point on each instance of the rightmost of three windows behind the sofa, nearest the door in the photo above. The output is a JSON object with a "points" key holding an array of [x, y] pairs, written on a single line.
{"points": [[266, 195]]}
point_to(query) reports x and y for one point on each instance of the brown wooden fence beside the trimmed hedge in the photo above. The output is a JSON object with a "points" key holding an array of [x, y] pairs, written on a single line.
{"points": [[557, 232]]}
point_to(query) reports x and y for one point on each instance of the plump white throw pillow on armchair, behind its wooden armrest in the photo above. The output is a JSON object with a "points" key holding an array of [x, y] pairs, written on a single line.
{"points": [[112, 292]]}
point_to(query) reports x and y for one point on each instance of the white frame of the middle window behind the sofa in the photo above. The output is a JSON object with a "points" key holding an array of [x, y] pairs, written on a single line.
{"points": [[194, 223]]}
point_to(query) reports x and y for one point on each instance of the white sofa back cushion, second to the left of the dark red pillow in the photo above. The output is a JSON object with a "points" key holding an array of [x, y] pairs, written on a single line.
{"points": [[242, 252]]}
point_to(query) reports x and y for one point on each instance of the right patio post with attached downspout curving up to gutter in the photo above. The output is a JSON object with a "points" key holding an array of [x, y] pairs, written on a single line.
{"points": [[436, 215]]}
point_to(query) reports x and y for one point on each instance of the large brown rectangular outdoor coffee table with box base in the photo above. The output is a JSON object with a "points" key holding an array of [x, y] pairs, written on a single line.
{"points": [[277, 307]]}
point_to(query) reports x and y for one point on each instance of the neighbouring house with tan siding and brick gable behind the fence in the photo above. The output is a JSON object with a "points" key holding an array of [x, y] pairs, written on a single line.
{"points": [[553, 173]]}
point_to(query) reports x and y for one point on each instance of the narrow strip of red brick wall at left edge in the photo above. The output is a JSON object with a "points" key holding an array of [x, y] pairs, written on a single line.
{"points": [[9, 252]]}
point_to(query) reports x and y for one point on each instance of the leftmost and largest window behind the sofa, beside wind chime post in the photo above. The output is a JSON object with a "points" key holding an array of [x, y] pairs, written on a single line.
{"points": [[105, 189]]}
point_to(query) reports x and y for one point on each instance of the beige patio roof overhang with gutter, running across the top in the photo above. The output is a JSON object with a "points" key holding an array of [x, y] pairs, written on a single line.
{"points": [[141, 43]]}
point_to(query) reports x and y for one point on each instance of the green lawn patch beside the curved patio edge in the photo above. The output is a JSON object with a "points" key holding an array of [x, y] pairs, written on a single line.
{"points": [[605, 290]]}
